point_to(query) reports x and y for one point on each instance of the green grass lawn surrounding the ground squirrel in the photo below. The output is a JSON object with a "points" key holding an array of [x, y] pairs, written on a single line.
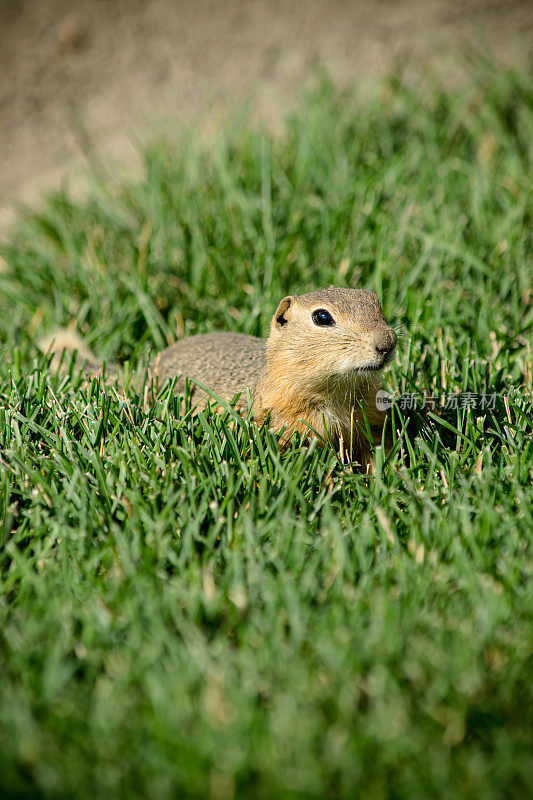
{"points": [[187, 612]]}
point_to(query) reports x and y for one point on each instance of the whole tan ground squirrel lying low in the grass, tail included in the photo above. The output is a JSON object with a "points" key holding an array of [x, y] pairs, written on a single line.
{"points": [[320, 362]]}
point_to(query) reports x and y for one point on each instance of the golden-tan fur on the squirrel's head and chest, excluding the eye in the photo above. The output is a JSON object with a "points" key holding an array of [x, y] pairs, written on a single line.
{"points": [[324, 383]]}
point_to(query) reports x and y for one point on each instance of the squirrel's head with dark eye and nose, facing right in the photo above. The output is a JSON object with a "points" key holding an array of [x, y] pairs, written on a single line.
{"points": [[331, 333]]}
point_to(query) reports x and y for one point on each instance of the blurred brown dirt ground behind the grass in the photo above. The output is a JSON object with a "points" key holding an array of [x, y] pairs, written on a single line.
{"points": [[98, 76]]}
